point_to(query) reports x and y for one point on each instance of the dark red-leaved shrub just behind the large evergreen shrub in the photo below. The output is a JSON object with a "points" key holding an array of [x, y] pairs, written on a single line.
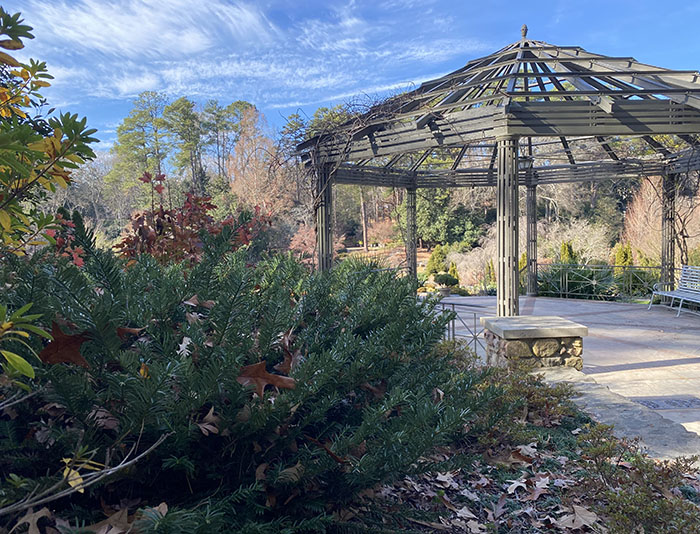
{"points": [[174, 234]]}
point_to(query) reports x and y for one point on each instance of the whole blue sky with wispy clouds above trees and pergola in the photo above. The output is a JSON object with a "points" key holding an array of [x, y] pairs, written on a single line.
{"points": [[294, 56]]}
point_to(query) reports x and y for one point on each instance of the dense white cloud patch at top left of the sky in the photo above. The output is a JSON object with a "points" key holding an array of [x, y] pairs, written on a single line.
{"points": [[147, 28]]}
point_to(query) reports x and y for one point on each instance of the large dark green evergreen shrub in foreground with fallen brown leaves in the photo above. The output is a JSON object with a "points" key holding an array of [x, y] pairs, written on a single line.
{"points": [[271, 395]]}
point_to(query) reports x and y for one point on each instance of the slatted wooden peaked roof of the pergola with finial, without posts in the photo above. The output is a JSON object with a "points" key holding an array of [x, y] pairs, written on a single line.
{"points": [[529, 89]]}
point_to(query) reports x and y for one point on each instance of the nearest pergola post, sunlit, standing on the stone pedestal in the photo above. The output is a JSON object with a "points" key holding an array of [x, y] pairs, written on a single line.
{"points": [[507, 227]]}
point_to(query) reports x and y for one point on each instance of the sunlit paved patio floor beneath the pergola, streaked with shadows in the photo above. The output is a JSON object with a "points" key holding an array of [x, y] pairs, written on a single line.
{"points": [[649, 357]]}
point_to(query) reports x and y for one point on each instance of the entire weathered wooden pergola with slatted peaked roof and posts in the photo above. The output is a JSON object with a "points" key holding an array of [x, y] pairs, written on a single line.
{"points": [[520, 99]]}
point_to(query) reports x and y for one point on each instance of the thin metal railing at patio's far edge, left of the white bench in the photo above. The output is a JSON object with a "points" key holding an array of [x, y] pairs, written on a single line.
{"points": [[598, 282]]}
